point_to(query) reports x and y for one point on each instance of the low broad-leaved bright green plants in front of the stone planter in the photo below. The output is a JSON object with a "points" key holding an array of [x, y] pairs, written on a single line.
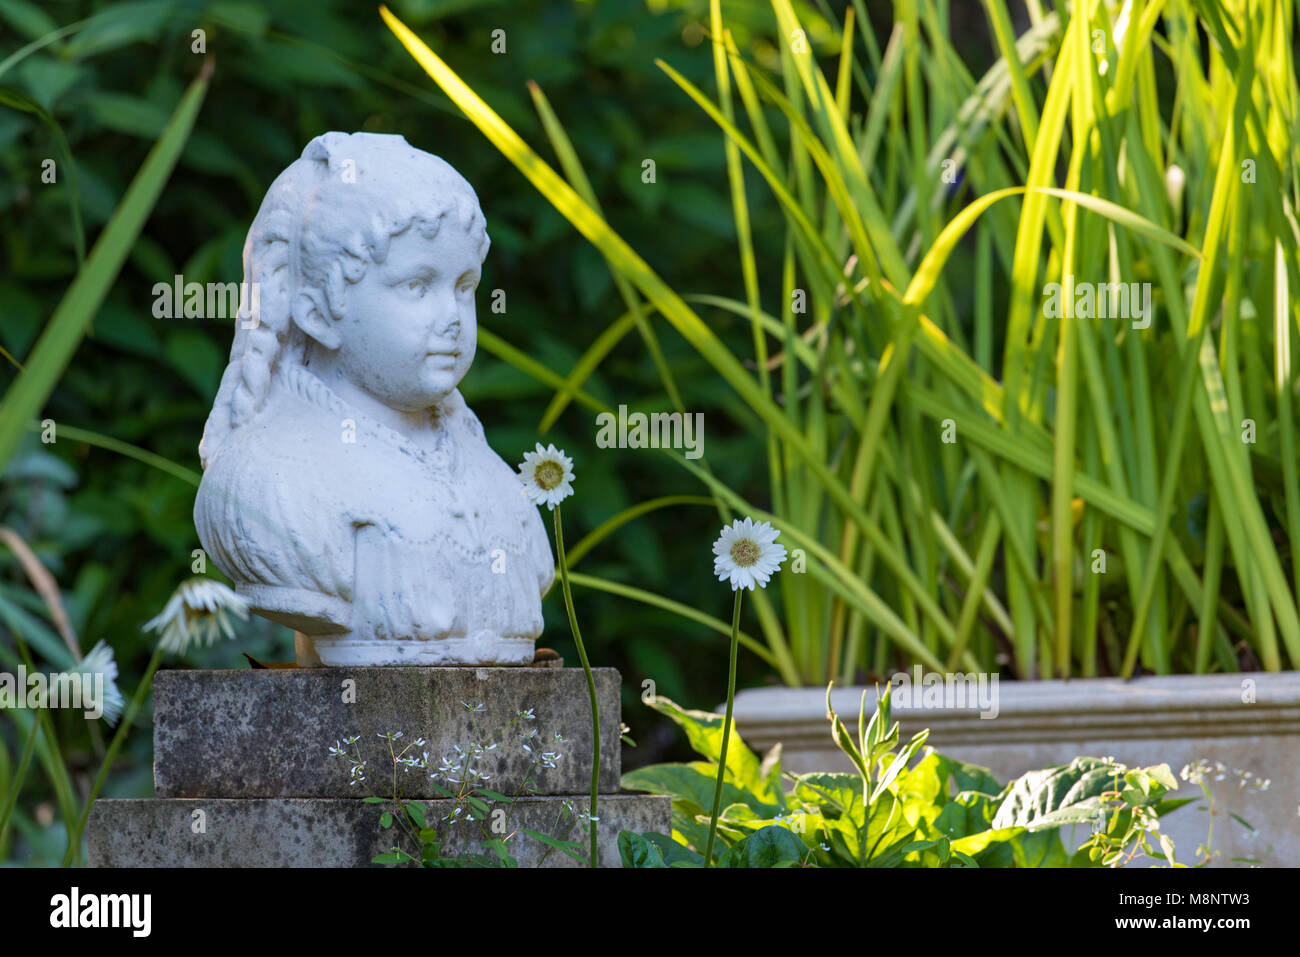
{"points": [[937, 813]]}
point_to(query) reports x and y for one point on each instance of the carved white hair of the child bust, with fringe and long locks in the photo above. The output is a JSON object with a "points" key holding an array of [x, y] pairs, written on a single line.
{"points": [[323, 222]]}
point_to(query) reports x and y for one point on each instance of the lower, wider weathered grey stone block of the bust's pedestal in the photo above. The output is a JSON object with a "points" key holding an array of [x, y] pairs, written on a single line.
{"points": [[340, 833]]}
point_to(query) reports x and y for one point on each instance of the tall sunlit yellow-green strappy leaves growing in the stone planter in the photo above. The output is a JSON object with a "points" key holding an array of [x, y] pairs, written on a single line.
{"points": [[1074, 440]]}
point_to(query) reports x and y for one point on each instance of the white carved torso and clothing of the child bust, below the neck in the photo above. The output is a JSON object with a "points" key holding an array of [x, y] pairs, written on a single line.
{"points": [[326, 518]]}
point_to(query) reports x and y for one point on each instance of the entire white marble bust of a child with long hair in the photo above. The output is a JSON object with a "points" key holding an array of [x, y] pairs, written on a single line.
{"points": [[348, 488]]}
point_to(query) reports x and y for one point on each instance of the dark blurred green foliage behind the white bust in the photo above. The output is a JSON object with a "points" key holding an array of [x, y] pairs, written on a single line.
{"points": [[118, 535]]}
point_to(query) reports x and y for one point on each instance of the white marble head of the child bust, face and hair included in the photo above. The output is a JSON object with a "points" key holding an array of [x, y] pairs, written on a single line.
{"points": [[363, 259]]}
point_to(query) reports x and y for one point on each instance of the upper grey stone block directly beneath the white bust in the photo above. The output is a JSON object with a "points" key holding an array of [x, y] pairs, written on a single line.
{"points": [[270, 733]]}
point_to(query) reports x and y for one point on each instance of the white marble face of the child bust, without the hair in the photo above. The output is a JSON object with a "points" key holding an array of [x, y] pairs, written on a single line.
{"points": [[410, 332]]}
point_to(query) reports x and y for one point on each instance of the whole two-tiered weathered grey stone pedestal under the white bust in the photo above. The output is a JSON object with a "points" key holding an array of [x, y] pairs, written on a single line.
{"points": [[248, 770]]}
